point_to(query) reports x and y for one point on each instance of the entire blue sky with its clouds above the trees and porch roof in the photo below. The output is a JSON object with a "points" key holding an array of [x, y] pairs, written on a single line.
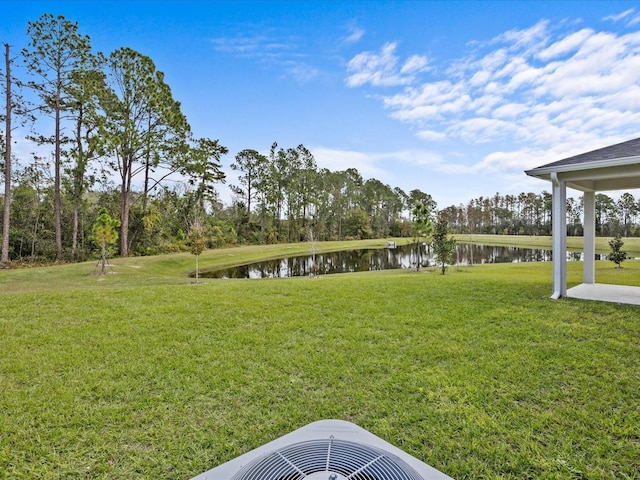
{"points": [[455, 98]]}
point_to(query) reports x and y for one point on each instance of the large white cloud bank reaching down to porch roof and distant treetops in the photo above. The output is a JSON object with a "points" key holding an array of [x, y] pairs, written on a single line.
{"points": [[526, 98]]}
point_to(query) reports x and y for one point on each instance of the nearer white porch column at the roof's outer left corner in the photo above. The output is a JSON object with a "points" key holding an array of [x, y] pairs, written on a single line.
{"points": [[559, 231]]}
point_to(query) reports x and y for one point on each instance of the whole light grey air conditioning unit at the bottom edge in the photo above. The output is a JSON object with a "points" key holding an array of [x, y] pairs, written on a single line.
{"points": [[325, 450]]}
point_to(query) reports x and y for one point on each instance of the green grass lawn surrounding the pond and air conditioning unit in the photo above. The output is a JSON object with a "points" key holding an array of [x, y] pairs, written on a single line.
{"points": [[142, 374]]}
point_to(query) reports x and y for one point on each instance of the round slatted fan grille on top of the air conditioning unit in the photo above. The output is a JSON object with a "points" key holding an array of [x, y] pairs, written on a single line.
{"points": [[329, 459]]}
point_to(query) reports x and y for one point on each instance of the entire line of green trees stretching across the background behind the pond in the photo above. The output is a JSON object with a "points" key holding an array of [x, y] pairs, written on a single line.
{"points": [[118, 141]]}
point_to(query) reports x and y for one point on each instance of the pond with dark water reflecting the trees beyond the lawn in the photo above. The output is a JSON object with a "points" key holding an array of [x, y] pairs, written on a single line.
{"points": [[377, 259]]}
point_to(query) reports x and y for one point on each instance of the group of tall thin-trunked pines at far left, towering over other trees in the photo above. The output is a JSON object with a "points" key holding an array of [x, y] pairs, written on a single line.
{"points": [[109, 116]]}
